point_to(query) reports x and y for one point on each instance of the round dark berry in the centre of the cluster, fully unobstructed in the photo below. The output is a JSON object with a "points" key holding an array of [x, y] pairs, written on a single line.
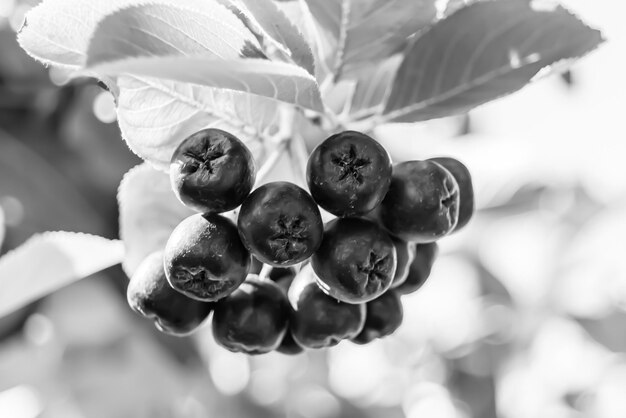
{"points": [[280, 224]]}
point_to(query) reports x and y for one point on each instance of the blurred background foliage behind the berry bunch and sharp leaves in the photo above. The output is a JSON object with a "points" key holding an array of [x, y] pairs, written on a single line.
{"points": [[523, 317]]}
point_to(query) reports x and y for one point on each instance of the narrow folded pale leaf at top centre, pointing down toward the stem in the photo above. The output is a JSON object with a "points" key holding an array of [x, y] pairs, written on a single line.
{"points": [[279, 28]]}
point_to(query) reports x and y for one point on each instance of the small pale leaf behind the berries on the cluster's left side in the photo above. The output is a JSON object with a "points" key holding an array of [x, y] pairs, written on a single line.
{"points": [[149, 211]]}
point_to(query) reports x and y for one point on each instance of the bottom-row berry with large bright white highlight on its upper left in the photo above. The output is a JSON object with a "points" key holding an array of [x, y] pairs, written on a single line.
{"points": [[318, 320]]}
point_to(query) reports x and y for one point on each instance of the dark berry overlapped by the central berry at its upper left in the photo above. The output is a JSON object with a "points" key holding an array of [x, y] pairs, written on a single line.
{"points": [[356, 261]]}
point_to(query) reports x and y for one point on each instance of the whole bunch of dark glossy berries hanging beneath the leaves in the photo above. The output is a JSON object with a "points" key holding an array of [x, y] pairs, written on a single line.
{"points": [[280, 279]]}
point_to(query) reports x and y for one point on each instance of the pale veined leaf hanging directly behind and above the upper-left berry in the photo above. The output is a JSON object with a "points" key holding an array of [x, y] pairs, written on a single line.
{"points": [[156, 115]]}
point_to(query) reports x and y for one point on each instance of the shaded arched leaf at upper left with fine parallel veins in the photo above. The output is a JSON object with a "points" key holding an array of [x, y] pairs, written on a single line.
{"points": [[207, 29]]}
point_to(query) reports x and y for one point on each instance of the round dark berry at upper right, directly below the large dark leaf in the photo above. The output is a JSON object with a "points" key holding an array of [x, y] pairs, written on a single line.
{"points": [[349, 173]]}
